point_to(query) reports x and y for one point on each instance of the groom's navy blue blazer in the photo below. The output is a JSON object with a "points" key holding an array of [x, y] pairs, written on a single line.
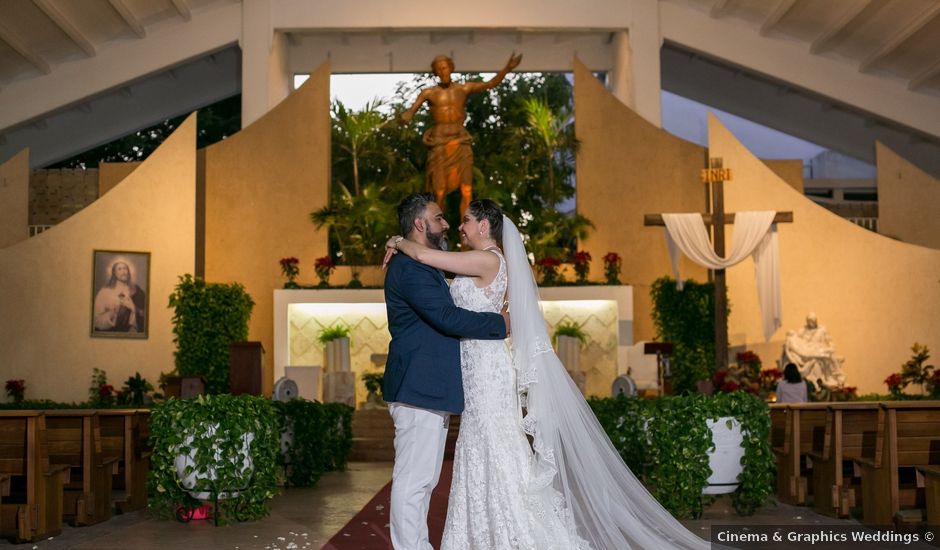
{"points": [[423, 367]]}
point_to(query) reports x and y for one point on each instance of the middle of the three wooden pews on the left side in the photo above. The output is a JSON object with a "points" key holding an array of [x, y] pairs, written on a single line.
{"points": [[75, 442]]}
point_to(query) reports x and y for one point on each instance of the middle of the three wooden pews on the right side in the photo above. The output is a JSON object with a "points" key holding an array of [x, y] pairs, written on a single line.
{"points": [[850, 433]]}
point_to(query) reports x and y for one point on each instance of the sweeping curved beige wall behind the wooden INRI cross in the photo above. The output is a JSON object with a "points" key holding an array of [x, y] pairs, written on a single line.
{"points": [[876, 296]]}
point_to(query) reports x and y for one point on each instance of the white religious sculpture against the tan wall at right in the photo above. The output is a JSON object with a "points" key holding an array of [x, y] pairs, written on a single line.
{"points": [[812, 351]]}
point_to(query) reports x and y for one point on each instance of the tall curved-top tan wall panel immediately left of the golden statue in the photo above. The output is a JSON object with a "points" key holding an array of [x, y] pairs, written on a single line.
{"points": [[261, 185]]}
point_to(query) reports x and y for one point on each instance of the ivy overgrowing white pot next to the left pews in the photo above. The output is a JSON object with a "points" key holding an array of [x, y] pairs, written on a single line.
{"points": [[212, 429]]}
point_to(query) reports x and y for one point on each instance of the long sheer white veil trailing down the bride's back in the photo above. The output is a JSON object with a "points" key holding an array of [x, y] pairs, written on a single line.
{"points": [[608, 506]]}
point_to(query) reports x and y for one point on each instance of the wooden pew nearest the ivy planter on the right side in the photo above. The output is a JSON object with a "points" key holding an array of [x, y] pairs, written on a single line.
{"points": [[803, 426]]}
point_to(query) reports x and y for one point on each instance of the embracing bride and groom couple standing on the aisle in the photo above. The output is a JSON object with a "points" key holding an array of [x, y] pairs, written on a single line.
{"points": [[568, 488]]}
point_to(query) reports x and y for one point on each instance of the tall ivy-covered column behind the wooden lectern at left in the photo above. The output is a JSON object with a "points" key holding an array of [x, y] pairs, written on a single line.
{"points": [[207, 318]]}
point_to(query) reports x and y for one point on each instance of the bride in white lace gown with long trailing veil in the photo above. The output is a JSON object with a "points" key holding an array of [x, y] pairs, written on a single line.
{"points": [[569, 489]]}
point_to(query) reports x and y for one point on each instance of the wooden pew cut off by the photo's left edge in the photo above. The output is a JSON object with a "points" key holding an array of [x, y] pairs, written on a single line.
{"points": [[31, 506]]}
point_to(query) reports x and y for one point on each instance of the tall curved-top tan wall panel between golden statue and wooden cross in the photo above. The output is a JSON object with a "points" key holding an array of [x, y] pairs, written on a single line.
{"points": [[626, 168]]}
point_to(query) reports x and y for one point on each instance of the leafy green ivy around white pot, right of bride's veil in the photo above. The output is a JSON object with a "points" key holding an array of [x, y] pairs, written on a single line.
{"points": [[666, 441]]}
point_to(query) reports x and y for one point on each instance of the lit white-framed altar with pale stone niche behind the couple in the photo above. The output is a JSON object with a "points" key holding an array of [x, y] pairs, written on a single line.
{"points": [[604, 313]]}
